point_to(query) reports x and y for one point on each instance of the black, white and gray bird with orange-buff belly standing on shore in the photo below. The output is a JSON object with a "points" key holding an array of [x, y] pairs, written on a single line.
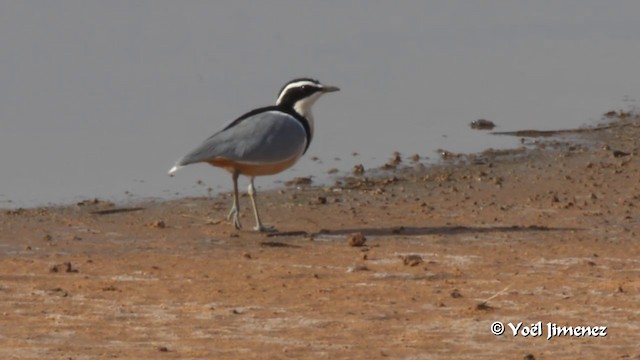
{"points": [[263, 141]]}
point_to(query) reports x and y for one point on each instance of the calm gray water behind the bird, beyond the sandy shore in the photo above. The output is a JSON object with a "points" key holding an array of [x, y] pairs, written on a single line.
{"points": [[99, 98]]}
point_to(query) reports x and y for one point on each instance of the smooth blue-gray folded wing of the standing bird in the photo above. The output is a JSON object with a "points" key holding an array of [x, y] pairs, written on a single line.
{"points": [[266, 137]]}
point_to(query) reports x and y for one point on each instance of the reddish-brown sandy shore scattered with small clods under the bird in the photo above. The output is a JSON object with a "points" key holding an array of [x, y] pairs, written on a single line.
{"points": [[548, 234]]}
